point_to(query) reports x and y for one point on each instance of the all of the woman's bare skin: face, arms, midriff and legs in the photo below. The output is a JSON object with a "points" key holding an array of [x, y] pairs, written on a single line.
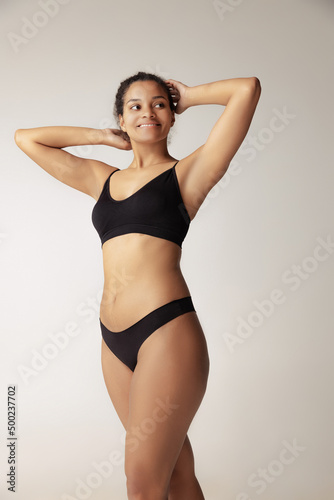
{"points": [[143, 272]]}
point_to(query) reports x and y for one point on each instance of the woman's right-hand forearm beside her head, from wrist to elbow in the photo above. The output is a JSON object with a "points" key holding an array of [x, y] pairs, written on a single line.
{"points": [[221, 91]]}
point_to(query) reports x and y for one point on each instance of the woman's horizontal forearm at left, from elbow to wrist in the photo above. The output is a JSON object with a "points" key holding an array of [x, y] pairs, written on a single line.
{"points": [[59, 136]]}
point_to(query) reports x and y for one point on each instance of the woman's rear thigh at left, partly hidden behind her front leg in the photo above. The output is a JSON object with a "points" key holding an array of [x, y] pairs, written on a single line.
{"points": [[117, 377]]}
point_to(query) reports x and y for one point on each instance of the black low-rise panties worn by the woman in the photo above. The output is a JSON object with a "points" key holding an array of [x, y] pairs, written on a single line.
{"points": [[126, 343]]}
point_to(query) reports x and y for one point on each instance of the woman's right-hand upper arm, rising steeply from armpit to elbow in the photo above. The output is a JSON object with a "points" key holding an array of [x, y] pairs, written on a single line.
{"points": [[207, 165]]}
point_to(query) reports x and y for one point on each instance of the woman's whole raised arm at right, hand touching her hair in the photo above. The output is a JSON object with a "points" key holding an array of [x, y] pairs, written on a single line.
{"points": [[207, 165]]}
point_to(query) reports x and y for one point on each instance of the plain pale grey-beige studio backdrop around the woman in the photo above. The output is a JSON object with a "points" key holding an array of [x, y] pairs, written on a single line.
{"points": [[258, 258]]}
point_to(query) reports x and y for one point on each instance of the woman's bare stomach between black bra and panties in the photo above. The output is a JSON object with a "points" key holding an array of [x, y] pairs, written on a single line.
{"points": [[141, 273]]}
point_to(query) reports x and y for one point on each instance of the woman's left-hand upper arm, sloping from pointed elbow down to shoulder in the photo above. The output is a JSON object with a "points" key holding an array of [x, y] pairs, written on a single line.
{"points": [[83, 174]]}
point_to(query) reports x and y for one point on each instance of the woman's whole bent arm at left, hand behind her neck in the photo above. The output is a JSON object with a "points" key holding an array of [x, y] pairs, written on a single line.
{"points": [[44, 146]]}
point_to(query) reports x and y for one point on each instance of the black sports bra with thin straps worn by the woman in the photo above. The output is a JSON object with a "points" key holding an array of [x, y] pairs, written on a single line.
{"points": [[156, 209]]}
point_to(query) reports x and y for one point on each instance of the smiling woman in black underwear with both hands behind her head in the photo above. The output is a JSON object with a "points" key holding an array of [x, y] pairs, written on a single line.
{"points": [[154, 353]]}
